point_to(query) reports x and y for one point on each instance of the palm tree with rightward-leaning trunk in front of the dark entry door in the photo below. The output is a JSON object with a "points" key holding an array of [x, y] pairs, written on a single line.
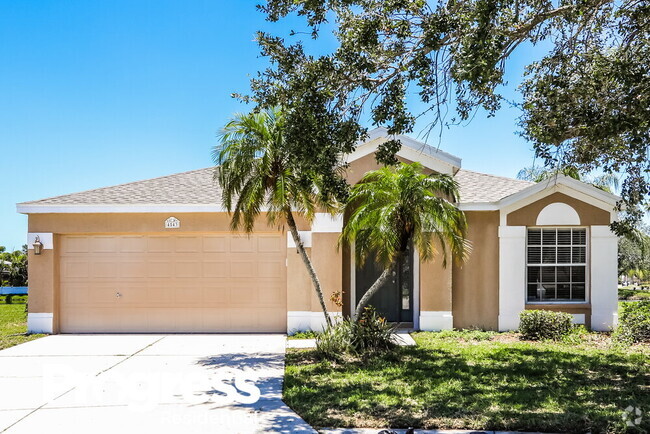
{"points": [[394, 207]]}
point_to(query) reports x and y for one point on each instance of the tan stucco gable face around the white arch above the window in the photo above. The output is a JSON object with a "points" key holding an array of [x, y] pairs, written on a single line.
{"points": [[589, 214]]}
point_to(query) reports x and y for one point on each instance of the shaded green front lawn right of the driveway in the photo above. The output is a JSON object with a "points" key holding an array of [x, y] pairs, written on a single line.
{"points": [[475, 381]]}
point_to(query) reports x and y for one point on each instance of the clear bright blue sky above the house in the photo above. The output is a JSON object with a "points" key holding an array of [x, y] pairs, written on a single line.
{"points": [[96, 93]]}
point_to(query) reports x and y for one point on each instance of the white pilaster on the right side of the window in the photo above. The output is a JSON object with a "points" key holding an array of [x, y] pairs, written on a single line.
{"points": [[604, 278]]}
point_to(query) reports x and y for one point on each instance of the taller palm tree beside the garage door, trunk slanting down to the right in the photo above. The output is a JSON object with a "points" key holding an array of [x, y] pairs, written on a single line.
{"points": [[256, 175]]}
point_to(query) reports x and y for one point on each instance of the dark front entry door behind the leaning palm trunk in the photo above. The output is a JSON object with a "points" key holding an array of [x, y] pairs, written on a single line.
{"points": [[394, 300]]}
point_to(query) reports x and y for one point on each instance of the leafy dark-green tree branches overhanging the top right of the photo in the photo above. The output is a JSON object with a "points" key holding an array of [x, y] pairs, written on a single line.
{"points": [[584, 102]]}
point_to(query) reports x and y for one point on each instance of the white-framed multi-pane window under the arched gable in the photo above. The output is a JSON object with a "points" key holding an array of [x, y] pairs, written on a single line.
{"points": [[556, 264]]}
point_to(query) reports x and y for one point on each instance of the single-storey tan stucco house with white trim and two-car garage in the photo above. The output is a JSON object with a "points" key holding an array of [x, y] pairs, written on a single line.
{"points": [[157, 256]]}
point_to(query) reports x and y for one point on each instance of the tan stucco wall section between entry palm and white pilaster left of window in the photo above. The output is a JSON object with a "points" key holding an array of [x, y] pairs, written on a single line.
{"points": [[476, 283]]}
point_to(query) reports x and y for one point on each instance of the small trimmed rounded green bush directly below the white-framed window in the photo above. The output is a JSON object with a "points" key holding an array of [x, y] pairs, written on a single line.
{"points": [[544, 324]]}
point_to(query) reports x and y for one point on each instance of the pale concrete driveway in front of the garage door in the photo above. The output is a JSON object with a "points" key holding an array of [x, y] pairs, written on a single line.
{"points": [[146, 383]]}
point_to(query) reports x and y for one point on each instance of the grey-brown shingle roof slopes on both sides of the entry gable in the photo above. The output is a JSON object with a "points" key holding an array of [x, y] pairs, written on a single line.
{"points": [[198, 188]]}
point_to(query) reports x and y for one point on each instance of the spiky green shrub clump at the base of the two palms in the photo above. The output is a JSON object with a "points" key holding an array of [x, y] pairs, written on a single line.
{"points": [[371, 333]]}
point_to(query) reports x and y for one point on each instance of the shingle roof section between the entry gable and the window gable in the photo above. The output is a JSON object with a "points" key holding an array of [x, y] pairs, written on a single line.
{"points": [[481, 187]]}
